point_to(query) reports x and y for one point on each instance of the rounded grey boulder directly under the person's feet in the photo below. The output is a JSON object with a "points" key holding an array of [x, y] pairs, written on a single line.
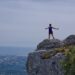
{"points": [[49, 44]]}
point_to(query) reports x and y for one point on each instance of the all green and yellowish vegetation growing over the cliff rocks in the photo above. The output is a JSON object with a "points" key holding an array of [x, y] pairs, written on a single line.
{"points": [[69, 63]]}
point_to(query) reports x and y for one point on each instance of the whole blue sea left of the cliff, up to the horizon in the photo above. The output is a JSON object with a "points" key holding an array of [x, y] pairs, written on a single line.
{"points": [[13, 60]]}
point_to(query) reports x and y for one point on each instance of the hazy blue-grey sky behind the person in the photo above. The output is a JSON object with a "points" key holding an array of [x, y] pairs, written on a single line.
{"points": [[22, 22]]}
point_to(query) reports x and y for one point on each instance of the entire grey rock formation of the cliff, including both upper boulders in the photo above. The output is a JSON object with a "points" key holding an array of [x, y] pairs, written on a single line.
{"points": [[45, 60]]}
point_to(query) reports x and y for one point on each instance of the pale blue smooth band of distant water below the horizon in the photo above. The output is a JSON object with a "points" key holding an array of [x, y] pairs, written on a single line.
{"points": [[18, 51]]}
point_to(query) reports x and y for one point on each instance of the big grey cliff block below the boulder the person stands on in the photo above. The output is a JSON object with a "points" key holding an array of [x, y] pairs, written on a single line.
{"points": [[36, 65]]}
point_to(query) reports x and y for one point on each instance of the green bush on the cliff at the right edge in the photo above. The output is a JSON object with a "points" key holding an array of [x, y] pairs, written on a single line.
{"points": [[69, 63]]}
